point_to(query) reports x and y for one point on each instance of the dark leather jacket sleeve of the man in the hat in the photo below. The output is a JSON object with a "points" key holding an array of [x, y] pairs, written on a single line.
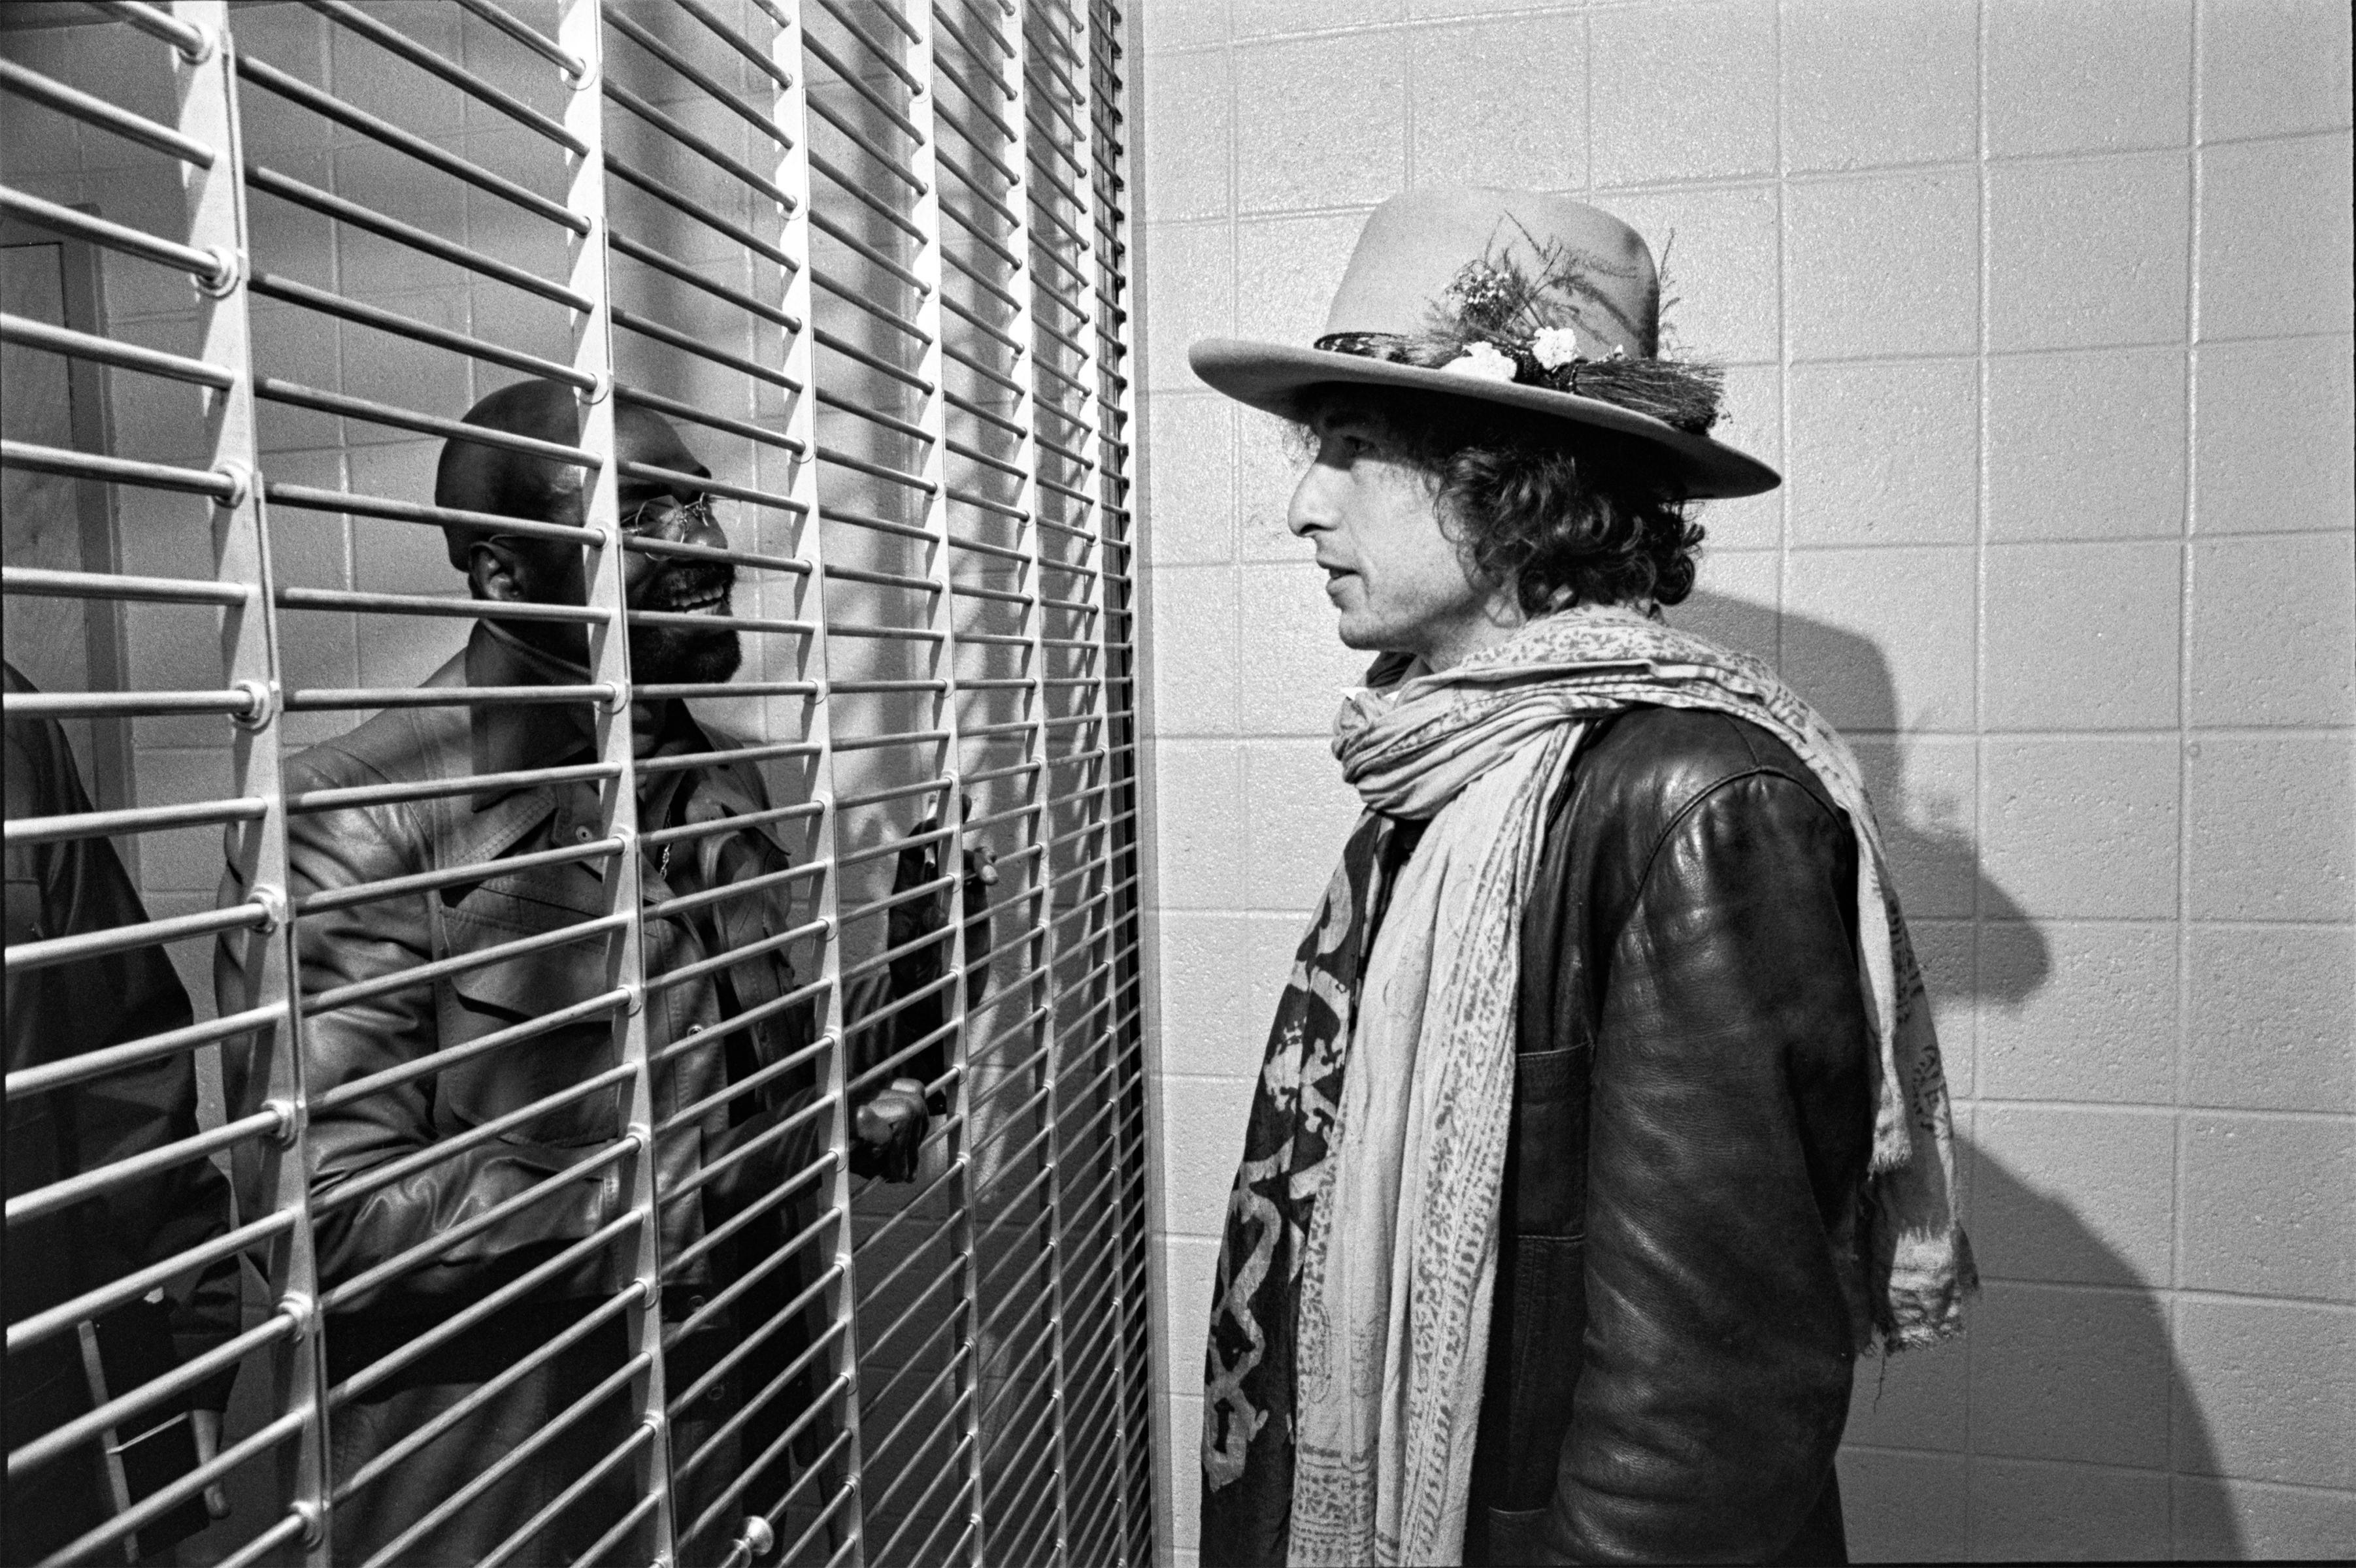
{"points": [[1719, 1343]]}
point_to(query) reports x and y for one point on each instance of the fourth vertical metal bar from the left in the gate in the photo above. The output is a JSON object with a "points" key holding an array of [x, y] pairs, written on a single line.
{"points": [[934, 420]]}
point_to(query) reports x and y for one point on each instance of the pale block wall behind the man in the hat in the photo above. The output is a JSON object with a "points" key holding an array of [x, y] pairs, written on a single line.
{"points": [[2044, 307]]}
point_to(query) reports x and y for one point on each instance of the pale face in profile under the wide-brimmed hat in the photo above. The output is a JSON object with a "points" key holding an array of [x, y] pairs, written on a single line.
{"points": [[1391, 571]]}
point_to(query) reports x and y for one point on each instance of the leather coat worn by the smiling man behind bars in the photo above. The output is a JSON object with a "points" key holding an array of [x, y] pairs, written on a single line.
{"points": [[715, 1152]]}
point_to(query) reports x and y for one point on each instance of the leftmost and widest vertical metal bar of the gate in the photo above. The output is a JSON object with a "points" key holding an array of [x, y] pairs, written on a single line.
{"points": [[209, 112]]}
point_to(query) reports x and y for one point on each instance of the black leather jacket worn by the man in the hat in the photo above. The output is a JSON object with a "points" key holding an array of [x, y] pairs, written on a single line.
{"points": [[1672, 1346]]}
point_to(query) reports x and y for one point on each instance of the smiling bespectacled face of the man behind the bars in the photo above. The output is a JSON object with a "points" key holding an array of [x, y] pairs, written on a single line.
{"points": [[552, 573]]}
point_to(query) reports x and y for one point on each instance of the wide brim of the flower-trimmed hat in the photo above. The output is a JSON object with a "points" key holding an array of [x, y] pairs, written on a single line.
{"points": [[1271, 378]]}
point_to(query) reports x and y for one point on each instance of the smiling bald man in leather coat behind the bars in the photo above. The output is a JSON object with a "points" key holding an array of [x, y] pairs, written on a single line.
{"points": [[418, 1167]]}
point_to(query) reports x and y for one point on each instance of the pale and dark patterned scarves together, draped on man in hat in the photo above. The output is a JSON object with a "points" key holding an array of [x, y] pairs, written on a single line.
{"points": [[1351, 1317]]}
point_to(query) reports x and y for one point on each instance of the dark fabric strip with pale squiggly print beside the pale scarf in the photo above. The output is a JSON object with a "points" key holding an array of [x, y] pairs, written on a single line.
{"points": [[1248, 1418]]}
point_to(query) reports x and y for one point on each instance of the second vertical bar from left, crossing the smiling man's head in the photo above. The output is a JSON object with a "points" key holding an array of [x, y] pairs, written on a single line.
{"points": [[609, 663]]}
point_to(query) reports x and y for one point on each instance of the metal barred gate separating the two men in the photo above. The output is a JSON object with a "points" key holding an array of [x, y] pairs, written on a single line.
{"points": [[911, 215]]}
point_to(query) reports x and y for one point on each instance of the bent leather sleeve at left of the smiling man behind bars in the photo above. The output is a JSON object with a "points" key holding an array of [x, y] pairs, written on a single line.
{"points": [[359, 1138]]}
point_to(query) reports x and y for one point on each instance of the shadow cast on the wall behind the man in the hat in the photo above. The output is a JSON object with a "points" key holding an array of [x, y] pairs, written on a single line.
{"points": [[2070, 1357]]}
